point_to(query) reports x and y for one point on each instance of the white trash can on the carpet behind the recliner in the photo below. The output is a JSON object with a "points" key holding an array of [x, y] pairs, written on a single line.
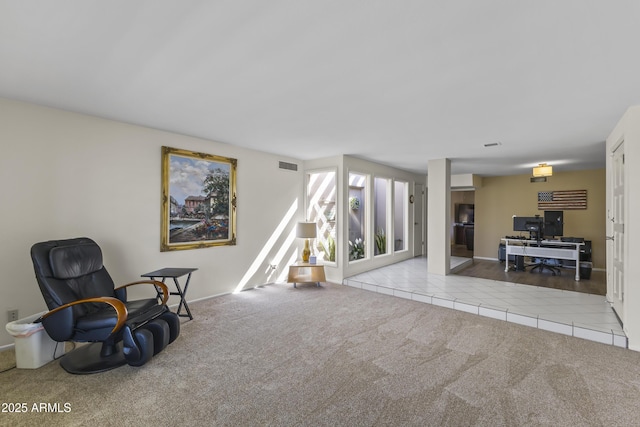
{"points": [[34, 347]]}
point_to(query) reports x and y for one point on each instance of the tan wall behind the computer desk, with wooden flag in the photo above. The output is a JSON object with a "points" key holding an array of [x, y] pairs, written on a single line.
{"points": [[500, 198]]}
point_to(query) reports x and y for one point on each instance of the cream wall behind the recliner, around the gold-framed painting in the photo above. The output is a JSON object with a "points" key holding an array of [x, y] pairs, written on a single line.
{"points": [[68, 175]]}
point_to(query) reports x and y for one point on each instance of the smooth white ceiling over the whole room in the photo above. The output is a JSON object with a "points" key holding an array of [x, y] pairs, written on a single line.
{"points": [[396, 81]]}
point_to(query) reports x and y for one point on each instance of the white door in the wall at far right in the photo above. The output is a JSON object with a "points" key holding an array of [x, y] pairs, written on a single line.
{"points": [[616, 240]]}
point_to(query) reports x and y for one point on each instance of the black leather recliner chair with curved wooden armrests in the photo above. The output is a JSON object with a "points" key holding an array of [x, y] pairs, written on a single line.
{"points": [[86, 307]]}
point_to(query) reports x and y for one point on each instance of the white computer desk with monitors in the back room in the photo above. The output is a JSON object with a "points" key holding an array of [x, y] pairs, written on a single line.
{"points": [[552, 249]]}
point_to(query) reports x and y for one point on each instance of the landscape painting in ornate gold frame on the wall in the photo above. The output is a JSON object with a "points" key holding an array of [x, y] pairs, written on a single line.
{"points": [[198, 200]]}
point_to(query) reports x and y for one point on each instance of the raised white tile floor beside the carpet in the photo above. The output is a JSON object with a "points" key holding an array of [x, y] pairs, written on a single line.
{"points": [[570, 313]]}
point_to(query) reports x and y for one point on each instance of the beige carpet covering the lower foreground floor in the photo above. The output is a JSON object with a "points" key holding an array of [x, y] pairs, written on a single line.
{"points": [[339, 356]]}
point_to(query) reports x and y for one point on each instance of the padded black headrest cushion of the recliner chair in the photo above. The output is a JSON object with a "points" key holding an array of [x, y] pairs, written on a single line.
{"points": [[68, 262]]}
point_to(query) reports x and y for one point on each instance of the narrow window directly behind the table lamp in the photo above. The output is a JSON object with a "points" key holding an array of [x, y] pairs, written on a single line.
{"points": [[321, 196]]}
